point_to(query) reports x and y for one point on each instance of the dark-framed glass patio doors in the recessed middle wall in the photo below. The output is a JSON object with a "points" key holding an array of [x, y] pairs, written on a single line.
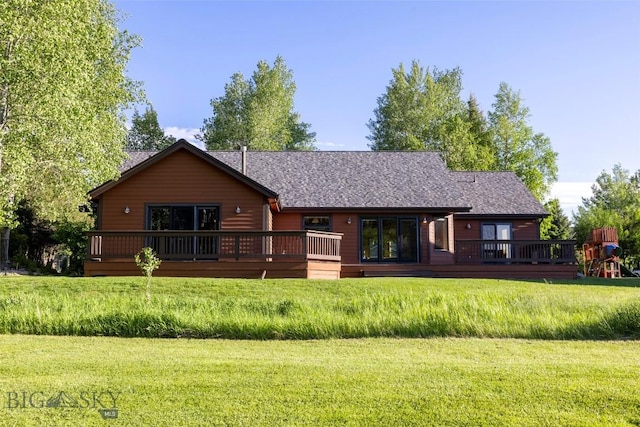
{"points": [[389, 239]]}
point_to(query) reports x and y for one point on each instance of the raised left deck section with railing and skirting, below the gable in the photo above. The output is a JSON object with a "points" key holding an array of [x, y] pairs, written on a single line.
{"points": [[245, 254]]}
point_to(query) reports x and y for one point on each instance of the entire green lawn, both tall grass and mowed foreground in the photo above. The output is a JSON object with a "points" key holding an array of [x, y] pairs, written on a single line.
{"points": [[421, 352]]}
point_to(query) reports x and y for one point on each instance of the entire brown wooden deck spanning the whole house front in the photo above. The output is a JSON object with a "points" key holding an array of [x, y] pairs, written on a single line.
{"points": [[313, 254]]}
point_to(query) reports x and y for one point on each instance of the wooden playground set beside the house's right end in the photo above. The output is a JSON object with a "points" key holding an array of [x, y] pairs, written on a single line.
{"points": [[602, 253]]}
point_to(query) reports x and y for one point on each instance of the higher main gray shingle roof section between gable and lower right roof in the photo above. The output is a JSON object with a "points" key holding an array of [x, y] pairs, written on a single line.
{"points": [[352, 179]]}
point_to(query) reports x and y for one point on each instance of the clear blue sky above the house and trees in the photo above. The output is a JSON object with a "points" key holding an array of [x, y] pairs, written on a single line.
{"points": [[575, 63]]}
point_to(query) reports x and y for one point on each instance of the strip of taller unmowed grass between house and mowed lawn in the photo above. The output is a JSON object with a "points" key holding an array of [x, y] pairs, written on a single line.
{"points": [[308, 309]]}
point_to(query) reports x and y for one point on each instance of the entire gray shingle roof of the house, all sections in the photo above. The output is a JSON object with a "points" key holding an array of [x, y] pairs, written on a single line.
{"points": [[376, 179]]}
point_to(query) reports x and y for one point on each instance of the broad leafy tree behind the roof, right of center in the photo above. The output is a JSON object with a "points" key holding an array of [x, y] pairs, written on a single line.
{"points": [[422, 110]]}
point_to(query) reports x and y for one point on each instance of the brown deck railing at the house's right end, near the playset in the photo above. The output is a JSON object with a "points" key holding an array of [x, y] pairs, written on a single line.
{"points": [[515, 251]]}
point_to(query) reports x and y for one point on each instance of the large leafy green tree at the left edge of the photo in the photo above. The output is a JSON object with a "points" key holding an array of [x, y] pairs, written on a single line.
{"points": [[62, 92]]}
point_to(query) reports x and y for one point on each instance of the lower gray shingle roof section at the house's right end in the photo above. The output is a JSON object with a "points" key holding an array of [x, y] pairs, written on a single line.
{"points": [[497, 193]]}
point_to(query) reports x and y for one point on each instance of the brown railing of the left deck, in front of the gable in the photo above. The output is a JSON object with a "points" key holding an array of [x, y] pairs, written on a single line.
{"points": [[215, 245]]}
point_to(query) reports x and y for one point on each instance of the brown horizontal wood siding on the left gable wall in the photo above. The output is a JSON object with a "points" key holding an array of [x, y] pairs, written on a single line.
{"points": [[182, 178]]}
